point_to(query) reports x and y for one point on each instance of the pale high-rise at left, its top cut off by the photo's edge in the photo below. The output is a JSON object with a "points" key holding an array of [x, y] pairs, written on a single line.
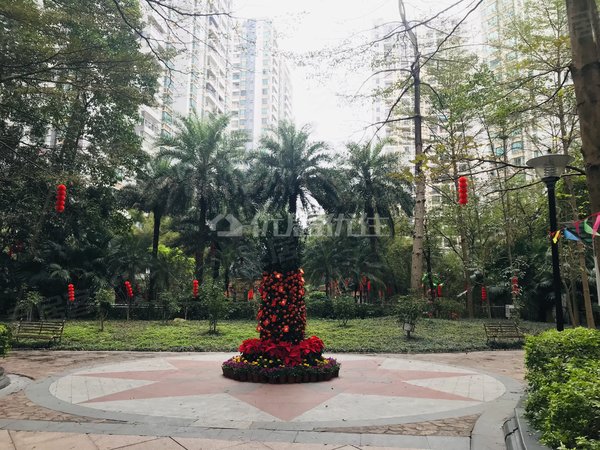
{"points": [[195, 77]]}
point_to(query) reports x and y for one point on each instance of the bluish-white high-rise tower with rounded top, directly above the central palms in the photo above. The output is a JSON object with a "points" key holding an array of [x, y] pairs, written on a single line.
{"points": [[261, 93]]}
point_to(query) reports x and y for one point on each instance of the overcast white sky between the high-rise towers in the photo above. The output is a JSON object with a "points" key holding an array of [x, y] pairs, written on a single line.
{"points": [[311, 25]]}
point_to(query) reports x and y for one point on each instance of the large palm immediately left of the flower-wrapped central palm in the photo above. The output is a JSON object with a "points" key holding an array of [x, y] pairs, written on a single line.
{"points": [[206, 164]]}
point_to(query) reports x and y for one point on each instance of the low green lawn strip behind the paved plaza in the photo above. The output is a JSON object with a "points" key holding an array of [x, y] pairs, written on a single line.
{"points": [[382, 335]]}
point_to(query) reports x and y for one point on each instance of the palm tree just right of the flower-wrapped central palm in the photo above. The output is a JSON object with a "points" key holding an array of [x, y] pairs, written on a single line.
{"points": [[374, 178]]}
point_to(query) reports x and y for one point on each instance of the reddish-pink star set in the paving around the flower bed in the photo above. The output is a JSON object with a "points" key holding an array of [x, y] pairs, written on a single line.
{"points": [[192, 377]]}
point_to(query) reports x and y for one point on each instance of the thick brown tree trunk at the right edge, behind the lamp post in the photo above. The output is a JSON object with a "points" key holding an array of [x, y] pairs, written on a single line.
{"points": [[584, 28]]}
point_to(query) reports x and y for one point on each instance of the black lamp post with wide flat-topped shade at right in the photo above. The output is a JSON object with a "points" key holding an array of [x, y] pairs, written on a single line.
{"points": [[549, 168]]}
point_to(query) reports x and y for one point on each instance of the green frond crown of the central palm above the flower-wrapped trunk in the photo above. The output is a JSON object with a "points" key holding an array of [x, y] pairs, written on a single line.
{"points": [[290, 167]]}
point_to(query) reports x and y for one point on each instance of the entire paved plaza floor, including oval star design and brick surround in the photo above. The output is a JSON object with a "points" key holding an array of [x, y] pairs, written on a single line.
{"points": [[107, 400]]}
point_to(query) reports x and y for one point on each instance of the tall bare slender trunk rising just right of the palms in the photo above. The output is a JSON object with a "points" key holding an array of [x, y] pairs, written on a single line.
{"points": [[419, 213]]}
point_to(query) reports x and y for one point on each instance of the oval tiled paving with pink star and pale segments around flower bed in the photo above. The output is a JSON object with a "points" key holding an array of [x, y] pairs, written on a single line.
{"points": [[192, 387]]}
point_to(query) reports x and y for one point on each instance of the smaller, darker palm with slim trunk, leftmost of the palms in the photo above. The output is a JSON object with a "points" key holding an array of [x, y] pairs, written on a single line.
{"points": [[157, 191]]}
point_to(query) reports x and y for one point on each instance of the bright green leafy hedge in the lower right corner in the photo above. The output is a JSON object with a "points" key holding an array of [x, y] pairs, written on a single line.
{"points": [[563, 376]]}
